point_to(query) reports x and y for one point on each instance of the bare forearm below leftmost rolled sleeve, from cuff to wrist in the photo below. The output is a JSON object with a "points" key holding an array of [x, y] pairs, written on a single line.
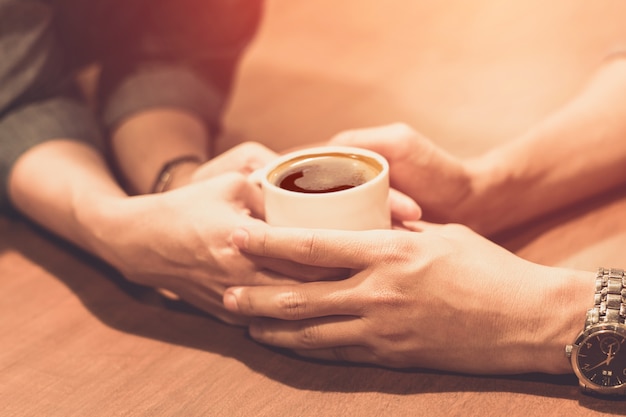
{"points": [[66, 187]]}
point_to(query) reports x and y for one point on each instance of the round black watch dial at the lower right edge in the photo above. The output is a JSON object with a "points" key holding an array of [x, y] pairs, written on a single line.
{"points": [[602, 359]]}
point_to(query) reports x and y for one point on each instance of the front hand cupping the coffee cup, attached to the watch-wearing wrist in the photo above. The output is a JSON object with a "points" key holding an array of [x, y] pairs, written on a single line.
{"points": [[443, 298]]}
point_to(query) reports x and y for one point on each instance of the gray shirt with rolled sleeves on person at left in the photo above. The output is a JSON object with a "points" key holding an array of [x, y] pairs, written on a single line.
{"points": [[174, 53]]}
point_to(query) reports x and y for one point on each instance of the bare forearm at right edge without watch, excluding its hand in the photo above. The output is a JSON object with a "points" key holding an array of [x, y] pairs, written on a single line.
{"points": [[577, 152]]}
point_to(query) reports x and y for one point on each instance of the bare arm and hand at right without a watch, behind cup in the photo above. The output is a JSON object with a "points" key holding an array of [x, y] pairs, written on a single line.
{"points": [[575, 153]]}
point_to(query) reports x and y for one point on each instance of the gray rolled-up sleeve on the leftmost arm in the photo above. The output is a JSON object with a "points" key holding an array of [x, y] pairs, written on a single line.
{"points": [[37, 100]]}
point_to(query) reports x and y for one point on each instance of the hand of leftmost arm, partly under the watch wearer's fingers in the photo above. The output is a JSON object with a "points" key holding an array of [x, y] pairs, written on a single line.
{"points": [[180, 241]]}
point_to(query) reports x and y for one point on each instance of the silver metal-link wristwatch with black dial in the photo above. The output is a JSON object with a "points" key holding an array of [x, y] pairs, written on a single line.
{"points": [[598, 354]]}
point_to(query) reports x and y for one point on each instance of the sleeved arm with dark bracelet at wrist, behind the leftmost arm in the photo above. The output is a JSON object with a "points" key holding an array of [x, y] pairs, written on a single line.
{"points": [[164, 88]]}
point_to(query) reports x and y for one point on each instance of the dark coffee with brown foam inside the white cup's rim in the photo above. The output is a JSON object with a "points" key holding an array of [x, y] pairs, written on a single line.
{"points": [[325, 173]]}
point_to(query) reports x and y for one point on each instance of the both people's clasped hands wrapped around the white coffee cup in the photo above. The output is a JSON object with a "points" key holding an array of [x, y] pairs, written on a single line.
{"points": [[423, 295]]}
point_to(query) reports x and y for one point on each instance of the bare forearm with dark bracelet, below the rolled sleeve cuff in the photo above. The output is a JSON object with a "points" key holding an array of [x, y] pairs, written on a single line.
{"points": [[143, 144]]}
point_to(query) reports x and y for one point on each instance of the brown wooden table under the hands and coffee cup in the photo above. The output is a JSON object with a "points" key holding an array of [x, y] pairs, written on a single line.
{"points": [[76, 339]]}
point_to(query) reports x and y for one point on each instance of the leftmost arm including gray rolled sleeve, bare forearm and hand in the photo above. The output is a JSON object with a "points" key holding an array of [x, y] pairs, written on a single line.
{"points": [[51, 173]]}
